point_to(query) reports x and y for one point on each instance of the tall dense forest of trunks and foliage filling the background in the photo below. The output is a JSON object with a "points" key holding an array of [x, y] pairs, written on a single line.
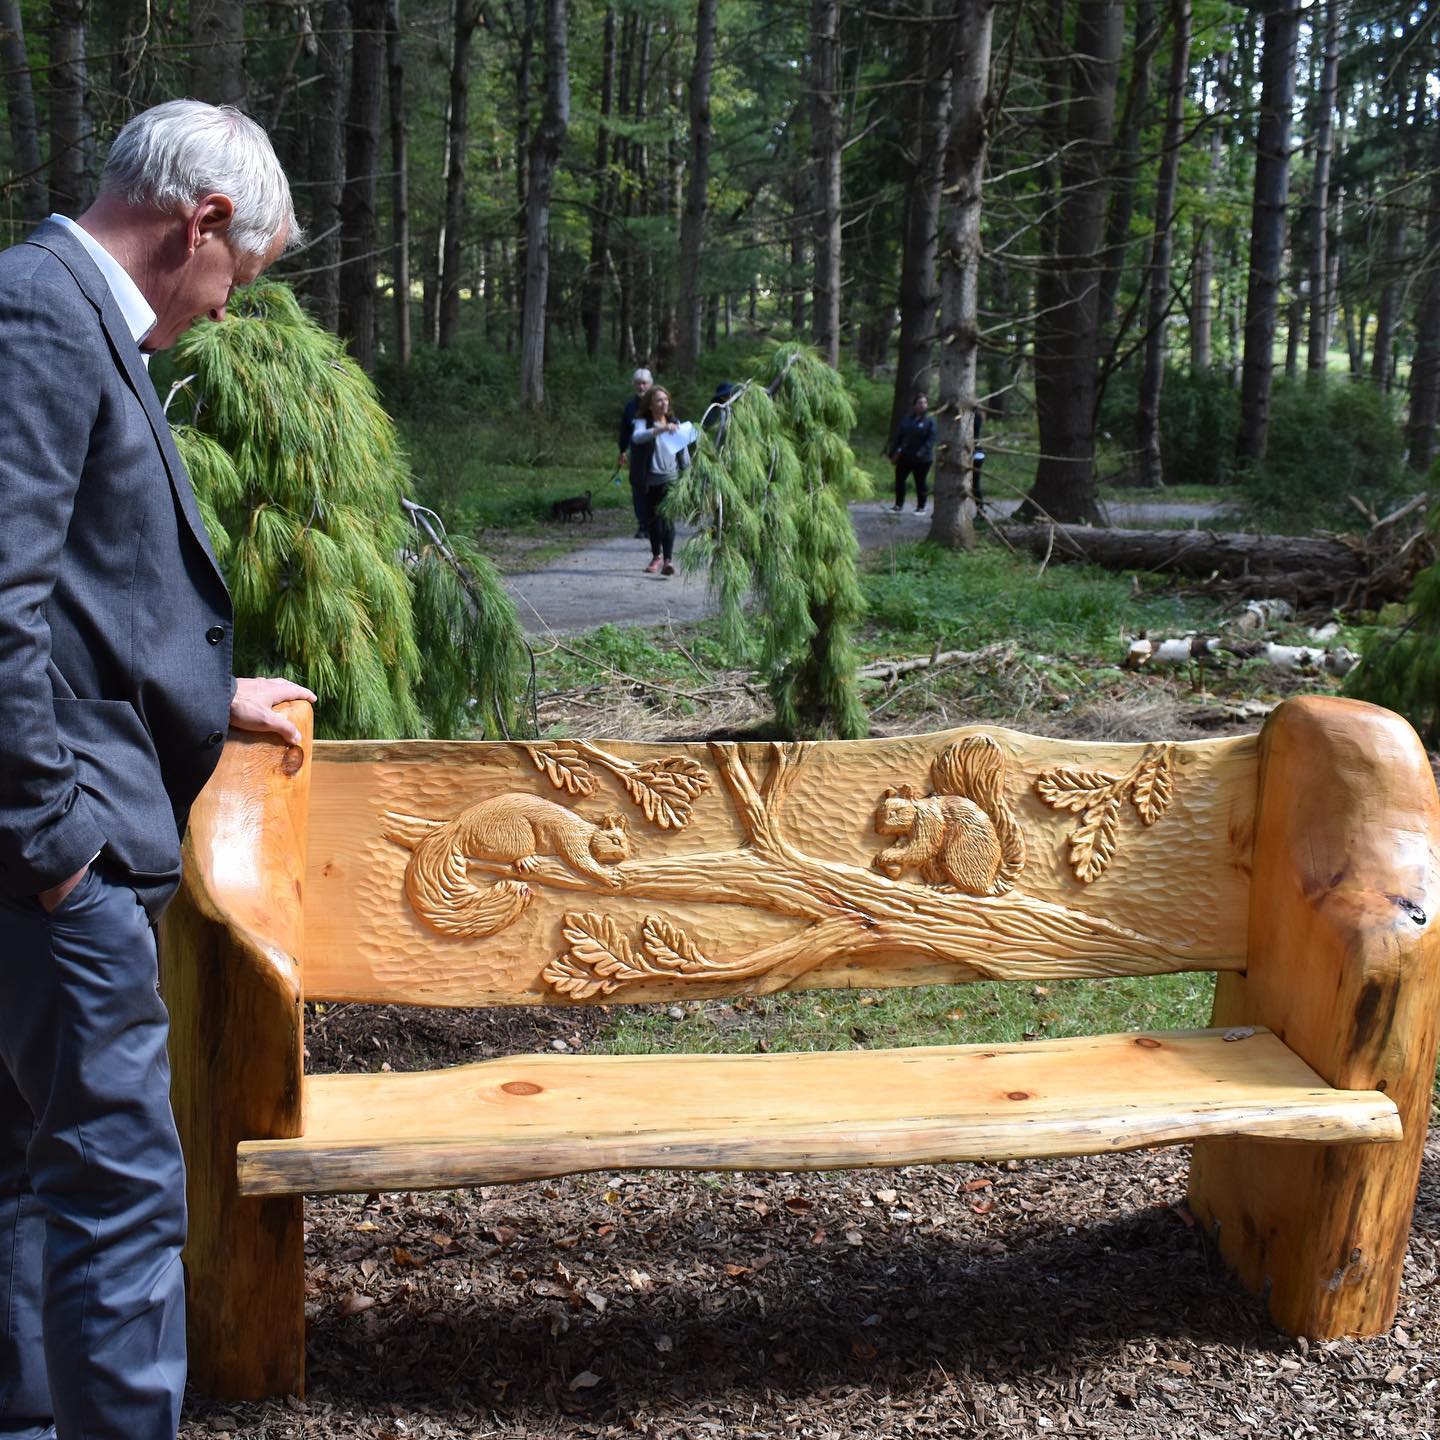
{"points": [[1144, 221]]}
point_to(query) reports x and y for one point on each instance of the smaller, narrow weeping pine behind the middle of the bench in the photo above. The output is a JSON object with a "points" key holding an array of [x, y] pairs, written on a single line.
{"points": [[768, 495]]}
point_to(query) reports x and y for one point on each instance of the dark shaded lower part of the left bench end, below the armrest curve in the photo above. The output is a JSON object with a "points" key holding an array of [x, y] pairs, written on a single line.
{"points": [[235, 1050]]}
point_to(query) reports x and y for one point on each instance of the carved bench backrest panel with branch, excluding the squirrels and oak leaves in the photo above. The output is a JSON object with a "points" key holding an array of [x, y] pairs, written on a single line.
{"points": [[773, 876]]}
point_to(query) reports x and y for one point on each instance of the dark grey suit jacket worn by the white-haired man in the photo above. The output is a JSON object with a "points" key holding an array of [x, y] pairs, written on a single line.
{"points": [[116, 626]]}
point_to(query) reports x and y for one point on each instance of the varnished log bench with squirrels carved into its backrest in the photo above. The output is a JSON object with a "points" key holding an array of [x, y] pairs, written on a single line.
{"points": [[1301, 866]]}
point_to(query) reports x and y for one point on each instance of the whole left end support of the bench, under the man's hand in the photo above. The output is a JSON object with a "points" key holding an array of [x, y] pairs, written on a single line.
{"points": [[230, 973]]}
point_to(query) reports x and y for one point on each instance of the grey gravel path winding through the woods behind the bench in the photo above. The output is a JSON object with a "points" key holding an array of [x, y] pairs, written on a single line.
{"points": [[604, 584]]}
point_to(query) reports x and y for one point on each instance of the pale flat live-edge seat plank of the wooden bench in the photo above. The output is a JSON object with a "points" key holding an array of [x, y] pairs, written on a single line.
{"points": [[534, 1117]]}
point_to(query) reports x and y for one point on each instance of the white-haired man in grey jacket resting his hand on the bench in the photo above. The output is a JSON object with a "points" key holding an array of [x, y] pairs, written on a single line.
{"points": [[116, 696]]}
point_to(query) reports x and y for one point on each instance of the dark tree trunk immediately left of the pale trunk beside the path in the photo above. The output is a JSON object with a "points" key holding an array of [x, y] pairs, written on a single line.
{"points": [[927, 66]]}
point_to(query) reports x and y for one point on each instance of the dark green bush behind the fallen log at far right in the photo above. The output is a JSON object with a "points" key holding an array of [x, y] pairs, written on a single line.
{"points": [[1328, 441]]}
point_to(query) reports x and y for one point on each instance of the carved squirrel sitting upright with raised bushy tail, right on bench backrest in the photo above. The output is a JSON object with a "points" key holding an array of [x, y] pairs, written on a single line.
{"points": [[963, 837]]}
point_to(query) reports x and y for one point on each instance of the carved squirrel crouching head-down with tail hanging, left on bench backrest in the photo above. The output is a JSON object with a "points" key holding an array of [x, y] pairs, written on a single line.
{"points": [[516, 830]]}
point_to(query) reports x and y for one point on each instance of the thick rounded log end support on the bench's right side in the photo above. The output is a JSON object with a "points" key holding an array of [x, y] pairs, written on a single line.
{"points": [[1346, 970]]}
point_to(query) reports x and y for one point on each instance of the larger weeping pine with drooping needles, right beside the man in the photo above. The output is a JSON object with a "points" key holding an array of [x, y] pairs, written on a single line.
{"points": [[338, 582]]}
